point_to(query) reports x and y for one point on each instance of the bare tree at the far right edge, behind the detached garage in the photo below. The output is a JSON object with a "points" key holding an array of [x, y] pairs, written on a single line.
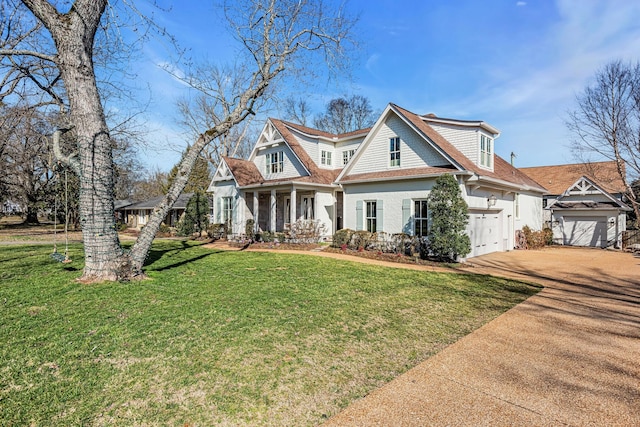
{"points": [[606, 122]]}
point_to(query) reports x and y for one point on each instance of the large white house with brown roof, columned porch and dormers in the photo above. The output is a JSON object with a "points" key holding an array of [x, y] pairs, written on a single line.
{"points": [[377, 179]]}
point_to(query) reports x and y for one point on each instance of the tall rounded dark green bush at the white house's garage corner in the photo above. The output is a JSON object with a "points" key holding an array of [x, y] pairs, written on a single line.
{"points": [[449, 218]]}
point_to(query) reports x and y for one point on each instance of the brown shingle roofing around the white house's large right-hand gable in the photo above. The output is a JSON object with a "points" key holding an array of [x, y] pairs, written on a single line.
{"points": [[502, 171]]}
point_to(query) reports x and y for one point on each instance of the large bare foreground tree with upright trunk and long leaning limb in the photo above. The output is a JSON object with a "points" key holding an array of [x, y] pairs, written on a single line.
{"points": [[276, 36]]}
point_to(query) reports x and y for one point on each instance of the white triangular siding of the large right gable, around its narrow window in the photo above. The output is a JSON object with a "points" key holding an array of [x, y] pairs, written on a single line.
{"points": [[414, 152]]}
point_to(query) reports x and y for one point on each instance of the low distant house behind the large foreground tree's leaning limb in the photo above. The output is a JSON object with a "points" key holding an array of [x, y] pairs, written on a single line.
{"points": [[136, 215]]}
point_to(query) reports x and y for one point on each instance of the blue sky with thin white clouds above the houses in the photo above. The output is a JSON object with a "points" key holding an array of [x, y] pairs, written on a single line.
{"points": [[517, 65]]}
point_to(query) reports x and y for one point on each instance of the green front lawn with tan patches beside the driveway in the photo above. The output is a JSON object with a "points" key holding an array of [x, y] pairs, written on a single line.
{"points": [[221, 338]]}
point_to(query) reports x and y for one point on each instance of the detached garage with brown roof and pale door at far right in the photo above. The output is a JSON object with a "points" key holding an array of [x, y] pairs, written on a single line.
{"points": [[584, 205]]}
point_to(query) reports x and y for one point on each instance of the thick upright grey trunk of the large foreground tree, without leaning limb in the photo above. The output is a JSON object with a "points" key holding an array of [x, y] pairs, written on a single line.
{"points": [[104, 257]]}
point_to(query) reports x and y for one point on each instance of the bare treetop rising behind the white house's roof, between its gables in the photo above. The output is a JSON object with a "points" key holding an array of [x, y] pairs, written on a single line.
{"points": [[346, 114]]}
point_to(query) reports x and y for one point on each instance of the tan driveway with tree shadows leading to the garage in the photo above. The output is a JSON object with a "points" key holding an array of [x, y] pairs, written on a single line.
{"points": [[569, 355]]}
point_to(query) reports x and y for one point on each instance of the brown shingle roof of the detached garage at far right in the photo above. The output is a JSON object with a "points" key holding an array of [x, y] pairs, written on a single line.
{"points": [[559, 178]]}
